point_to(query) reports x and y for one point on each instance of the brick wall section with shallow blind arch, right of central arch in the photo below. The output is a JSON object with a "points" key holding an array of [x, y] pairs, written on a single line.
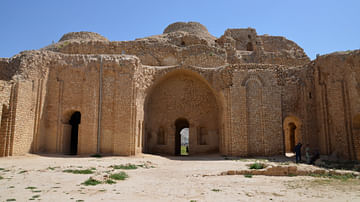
{"points": [[255, 111]]}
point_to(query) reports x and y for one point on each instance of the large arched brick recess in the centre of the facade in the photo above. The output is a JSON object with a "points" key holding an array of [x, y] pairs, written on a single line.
{"points": [[181, 95]]}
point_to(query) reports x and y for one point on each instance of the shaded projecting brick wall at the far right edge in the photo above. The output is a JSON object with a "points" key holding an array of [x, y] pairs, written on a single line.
{"points": [[337, 90]]}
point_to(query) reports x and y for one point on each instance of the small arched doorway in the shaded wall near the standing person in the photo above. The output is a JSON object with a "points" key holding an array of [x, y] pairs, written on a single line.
{"points": [[292, 133]]}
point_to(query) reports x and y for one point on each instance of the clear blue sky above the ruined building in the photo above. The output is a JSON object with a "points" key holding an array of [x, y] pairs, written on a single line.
{"points": [[321, 26]]}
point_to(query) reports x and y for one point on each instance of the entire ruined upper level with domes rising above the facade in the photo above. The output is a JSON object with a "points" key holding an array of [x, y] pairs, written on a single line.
{"points": [[184, 43]]}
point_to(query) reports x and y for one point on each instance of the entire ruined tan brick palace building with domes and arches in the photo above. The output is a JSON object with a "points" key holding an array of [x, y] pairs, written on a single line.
{"points": [[240, 95]]}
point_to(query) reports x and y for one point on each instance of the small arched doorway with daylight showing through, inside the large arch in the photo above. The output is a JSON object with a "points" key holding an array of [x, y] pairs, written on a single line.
{"points": [[181, 125]]}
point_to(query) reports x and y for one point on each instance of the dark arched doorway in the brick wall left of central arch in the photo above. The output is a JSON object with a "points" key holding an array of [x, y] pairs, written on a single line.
{"points": [[70, 132]]}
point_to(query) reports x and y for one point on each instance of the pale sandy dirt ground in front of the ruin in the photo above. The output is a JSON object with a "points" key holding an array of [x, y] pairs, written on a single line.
{"points": [[160, 178]]}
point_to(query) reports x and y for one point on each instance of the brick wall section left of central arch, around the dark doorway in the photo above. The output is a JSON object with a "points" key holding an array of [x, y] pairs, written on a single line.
{"points": [[73, 85]]}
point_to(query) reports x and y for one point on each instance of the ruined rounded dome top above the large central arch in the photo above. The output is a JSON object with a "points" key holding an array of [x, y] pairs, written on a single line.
{"points": [[190, 27]]}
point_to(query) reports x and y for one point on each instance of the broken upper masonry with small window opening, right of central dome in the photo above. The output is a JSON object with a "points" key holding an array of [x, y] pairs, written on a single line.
{"points": [[245, 46]]}
